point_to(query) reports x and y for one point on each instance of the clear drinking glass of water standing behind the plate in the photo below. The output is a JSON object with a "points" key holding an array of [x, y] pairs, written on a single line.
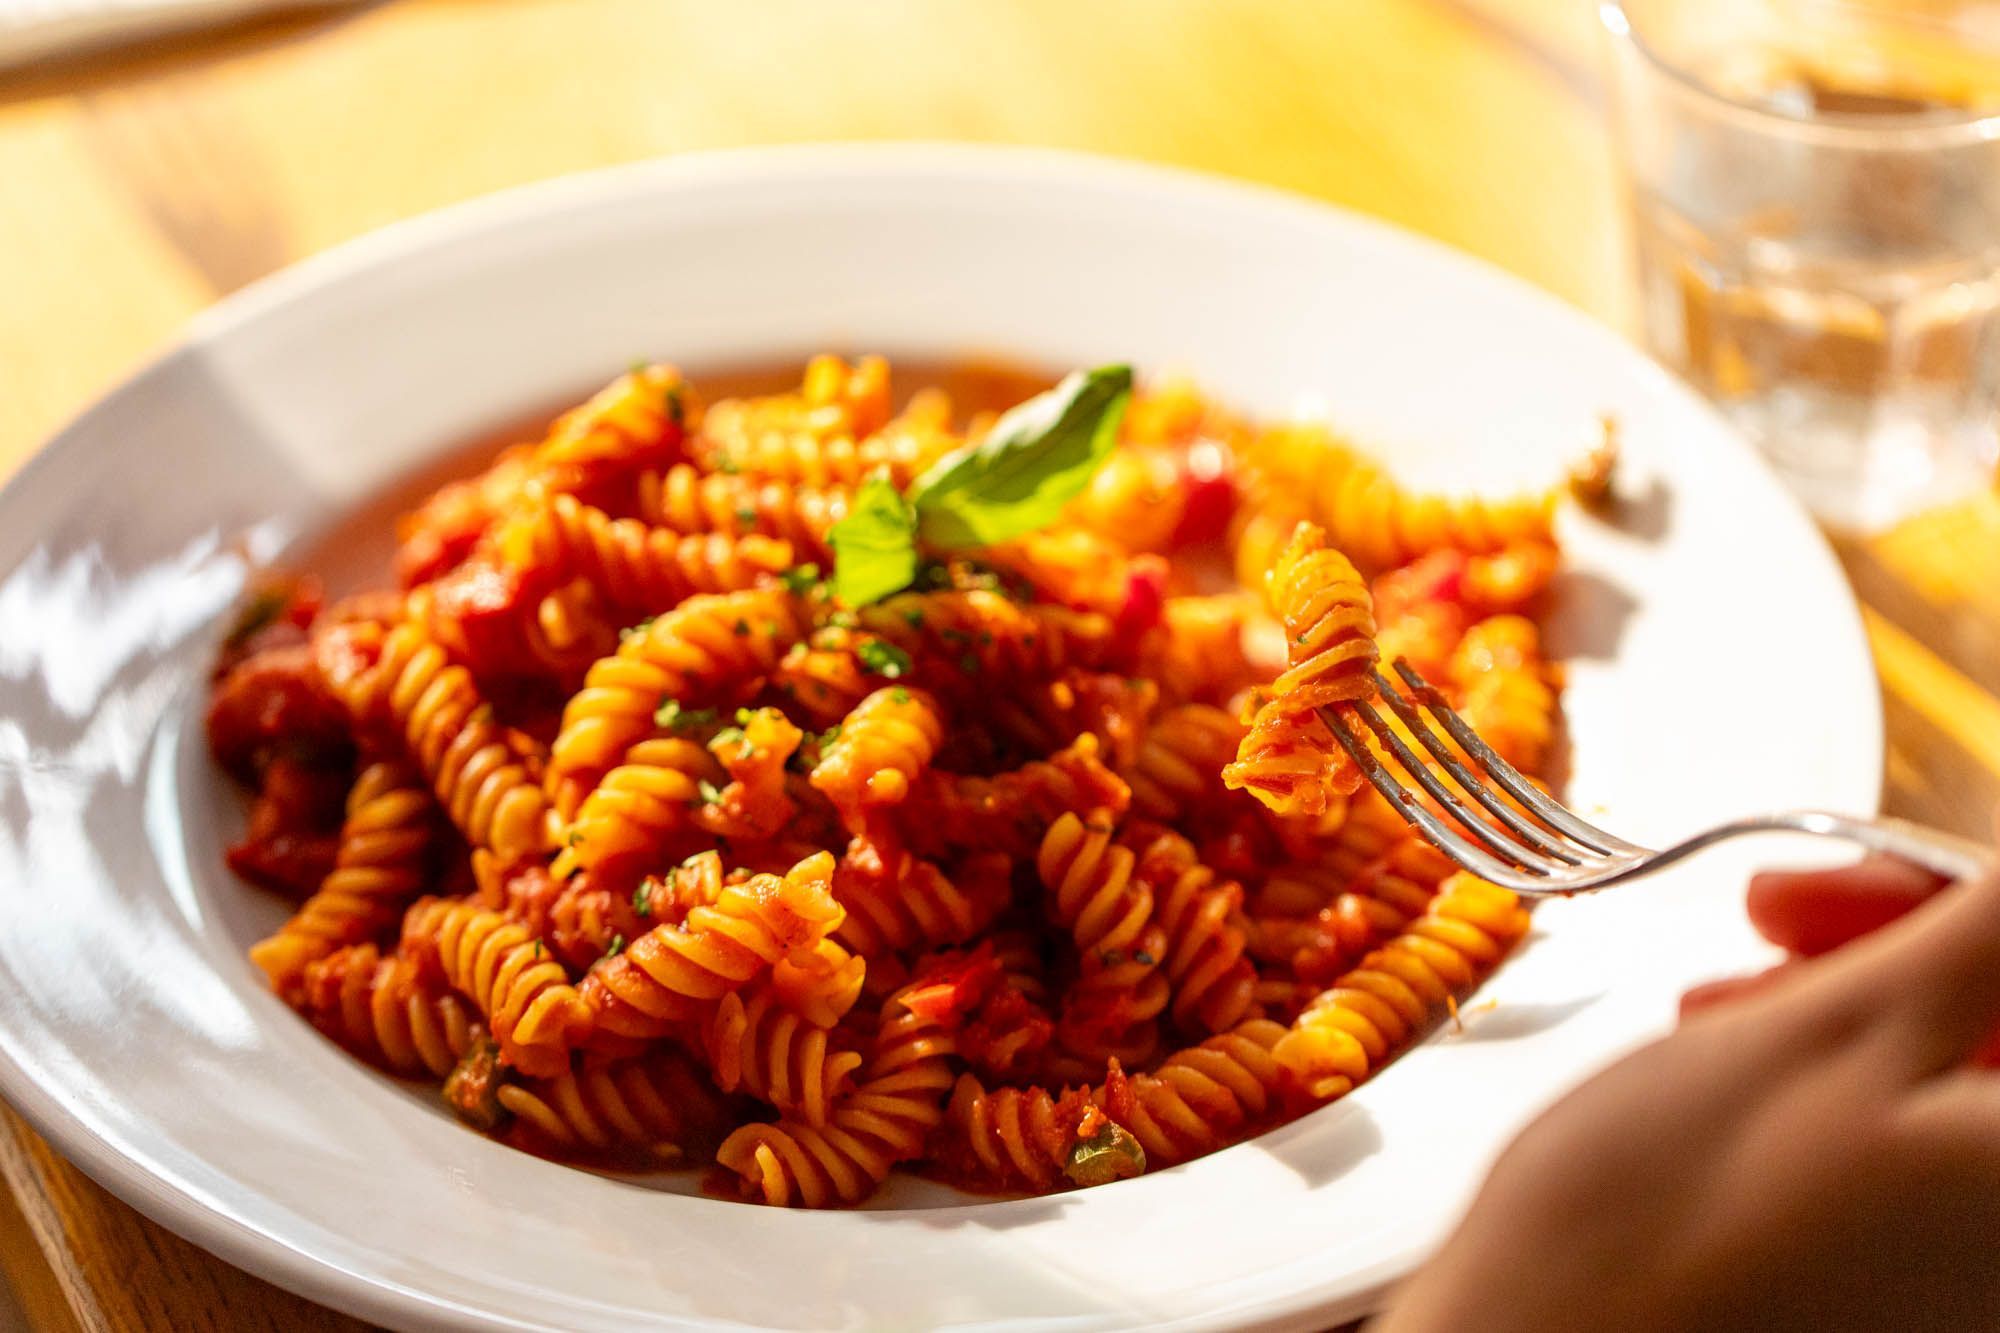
{"points": [[1817, 203]]}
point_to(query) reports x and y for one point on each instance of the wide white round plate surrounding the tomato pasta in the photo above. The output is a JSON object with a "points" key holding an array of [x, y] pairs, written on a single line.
{"points": [[1719, 668]]}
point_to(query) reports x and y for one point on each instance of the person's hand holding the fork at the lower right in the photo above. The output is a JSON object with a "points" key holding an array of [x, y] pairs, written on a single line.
{"points": [[1809, 1152]]}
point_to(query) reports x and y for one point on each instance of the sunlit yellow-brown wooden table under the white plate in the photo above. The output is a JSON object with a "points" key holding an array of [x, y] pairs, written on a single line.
{"points": [[143, 187]]}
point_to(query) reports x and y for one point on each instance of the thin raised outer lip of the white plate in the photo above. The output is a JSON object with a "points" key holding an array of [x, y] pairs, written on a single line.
{"points": [[381, 1298]]}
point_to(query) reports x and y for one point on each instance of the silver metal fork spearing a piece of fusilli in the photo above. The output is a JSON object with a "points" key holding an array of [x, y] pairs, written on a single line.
{"points": [[1535, 846]]}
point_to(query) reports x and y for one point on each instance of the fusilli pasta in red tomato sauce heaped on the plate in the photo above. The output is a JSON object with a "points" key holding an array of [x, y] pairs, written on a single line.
{"points": [[615, 818]]}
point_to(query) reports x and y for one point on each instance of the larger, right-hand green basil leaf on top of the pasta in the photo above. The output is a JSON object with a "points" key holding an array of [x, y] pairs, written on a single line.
{"points": [[1035, 461]]}
